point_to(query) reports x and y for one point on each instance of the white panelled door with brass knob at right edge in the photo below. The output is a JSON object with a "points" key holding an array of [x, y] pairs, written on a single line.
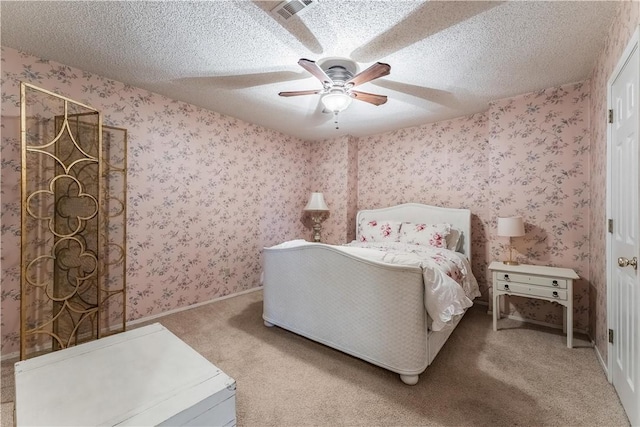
{"points": [[624, 311]]}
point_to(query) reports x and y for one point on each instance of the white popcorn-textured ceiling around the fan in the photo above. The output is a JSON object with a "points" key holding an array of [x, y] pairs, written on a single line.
{"points": [[448, 58]]}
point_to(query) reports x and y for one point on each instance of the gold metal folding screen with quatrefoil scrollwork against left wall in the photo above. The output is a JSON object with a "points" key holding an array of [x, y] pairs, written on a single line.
{"points": [[73, 223]]}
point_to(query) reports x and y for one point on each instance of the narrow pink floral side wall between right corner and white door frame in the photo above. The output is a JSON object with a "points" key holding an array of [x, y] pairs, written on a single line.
{"points": [[622, 28]]}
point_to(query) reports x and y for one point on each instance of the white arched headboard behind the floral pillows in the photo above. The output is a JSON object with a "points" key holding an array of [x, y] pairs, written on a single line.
{"points": [[419, 213]]}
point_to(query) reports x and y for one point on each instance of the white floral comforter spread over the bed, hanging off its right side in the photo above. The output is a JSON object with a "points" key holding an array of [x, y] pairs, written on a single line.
{"points": [[449, 283]]}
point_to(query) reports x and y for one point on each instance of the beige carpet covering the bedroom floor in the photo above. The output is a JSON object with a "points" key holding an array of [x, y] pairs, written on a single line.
{"points": [[521, 375]]}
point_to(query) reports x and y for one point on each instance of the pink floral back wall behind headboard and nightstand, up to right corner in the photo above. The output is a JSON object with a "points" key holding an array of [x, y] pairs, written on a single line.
{"points": [[526, 155]]}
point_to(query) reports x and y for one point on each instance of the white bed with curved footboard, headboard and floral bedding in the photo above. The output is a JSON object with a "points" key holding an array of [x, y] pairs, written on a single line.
{"points": [[372, 304]]}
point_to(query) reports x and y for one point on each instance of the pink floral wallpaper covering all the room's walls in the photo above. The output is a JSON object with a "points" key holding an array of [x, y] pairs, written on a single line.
{"points": [[198, 185]]}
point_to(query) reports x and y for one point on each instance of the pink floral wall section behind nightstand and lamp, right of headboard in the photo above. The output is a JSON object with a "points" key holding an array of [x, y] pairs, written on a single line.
{"points": [[539, 163]]}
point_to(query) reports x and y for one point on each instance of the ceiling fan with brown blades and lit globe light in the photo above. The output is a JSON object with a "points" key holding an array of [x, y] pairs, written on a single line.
{"points": [[338, 77]]}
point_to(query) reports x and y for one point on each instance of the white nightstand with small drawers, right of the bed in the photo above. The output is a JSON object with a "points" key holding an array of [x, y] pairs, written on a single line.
{"points": [[535, 281]]}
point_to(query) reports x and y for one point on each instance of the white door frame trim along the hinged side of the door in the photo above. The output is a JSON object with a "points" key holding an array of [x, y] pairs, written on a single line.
{"points": [[631, 45]]}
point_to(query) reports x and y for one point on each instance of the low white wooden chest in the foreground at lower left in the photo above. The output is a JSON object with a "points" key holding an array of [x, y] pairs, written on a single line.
{"points": [[145, 376]]}
